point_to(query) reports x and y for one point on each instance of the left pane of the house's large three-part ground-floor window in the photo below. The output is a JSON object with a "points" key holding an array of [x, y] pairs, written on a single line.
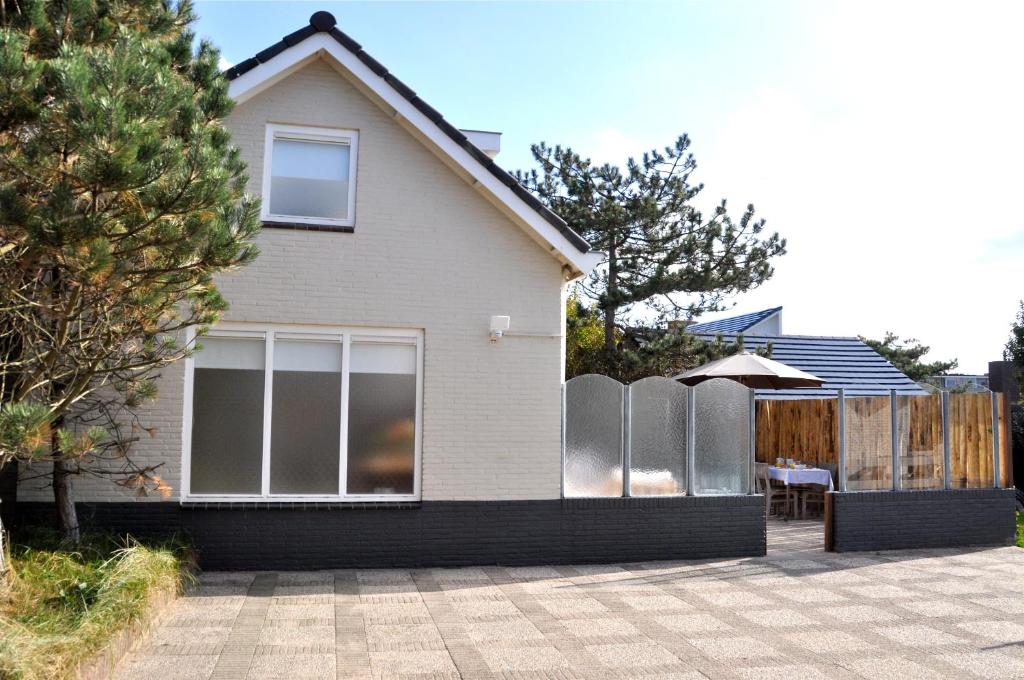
{"points": [[228, 417]]}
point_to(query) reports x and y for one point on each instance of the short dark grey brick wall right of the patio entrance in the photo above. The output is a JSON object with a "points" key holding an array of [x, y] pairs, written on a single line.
{"points": [[888, 521]]}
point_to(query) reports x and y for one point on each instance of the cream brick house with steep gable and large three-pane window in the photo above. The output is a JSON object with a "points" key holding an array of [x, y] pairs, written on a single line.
{"points": [[356, 367]]}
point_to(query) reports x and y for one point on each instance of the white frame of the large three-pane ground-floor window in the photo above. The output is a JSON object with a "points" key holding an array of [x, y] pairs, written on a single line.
{"points": [[343, 335]]}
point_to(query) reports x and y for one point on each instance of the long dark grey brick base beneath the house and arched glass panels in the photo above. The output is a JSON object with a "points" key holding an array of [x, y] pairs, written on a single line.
{"points": [[443, 533]]}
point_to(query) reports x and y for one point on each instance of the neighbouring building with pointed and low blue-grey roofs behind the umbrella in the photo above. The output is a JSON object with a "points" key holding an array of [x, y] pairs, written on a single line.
{"points": [[842, 363]]}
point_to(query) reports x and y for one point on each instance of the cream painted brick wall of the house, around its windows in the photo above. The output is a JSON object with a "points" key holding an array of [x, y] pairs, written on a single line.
{"points": [[429, 252]]}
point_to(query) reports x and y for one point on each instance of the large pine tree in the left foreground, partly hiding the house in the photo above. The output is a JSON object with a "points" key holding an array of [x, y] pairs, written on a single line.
{"points": [[121, 196]]}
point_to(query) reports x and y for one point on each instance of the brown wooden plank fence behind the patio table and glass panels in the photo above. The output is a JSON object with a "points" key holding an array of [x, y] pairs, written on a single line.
{"points": [[808, 431]]}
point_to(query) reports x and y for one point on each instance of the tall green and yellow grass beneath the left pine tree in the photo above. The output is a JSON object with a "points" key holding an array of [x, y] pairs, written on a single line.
{"points": [[61, 607]]}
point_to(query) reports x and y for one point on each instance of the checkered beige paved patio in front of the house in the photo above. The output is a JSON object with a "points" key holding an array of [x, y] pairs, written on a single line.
{"points": [[798, 613]]}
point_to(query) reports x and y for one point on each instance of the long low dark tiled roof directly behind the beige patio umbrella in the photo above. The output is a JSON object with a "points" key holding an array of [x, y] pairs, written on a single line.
{"points": [[846, 363]]}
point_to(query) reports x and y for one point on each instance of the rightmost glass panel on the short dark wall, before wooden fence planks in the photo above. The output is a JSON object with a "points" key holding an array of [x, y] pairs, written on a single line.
{"points": [[971, 441]]}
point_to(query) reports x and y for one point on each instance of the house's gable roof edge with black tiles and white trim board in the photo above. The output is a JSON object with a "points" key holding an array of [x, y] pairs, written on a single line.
{"points": [[323, 38]]}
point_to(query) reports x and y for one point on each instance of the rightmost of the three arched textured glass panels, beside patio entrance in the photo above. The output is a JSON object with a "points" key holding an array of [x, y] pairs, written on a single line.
{"points": [[722, 438]]}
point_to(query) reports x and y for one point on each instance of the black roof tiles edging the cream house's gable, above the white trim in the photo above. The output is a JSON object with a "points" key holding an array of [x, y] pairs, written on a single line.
{"points": [[325, 23]]}
